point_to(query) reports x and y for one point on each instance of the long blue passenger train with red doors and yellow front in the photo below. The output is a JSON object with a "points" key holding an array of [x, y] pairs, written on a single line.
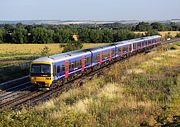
{"points": [[49, 72]]}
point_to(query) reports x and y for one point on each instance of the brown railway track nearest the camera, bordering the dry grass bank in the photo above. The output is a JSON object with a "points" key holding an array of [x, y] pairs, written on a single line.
{"points": [[35, 97]]}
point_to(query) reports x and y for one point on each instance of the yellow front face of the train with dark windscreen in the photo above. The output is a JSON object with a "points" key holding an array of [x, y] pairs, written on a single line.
{"points": [[41, 74]]}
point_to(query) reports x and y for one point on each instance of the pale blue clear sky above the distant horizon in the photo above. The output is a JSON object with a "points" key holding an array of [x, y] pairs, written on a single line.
{"points": [[89, 9]]}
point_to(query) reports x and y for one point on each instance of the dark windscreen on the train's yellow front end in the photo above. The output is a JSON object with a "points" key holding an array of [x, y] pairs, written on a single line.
{"points": [[40, 69]]}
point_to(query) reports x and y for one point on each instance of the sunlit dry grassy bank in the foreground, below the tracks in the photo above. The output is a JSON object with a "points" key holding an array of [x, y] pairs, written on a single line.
{"points": [[143, 90]]}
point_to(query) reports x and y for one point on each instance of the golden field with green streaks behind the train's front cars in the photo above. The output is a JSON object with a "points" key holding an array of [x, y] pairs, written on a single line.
{"points": [[19, 53]]}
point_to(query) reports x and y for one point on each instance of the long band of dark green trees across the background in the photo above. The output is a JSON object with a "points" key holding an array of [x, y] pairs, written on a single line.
{"points": [[114, 32]]}
